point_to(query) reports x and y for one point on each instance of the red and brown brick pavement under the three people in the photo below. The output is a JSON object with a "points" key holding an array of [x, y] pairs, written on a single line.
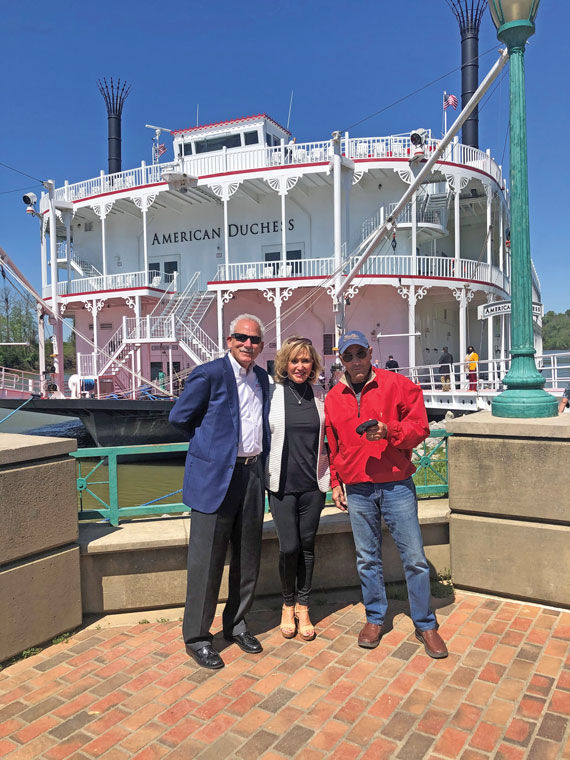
{"points": [[132, 692]]}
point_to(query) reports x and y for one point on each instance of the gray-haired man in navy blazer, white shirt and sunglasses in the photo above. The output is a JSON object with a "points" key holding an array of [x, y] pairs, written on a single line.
{"points": [[224, 412]]}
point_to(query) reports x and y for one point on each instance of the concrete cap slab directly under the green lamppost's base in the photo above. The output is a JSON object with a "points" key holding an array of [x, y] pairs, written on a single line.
{"points": [[483, 423]]}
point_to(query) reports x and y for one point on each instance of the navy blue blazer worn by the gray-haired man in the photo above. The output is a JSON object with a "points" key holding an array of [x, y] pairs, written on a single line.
{"points": [[208, 413]]}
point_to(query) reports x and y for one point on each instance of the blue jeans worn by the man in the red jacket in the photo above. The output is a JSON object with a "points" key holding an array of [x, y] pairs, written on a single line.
{"points": [[396, 502]]}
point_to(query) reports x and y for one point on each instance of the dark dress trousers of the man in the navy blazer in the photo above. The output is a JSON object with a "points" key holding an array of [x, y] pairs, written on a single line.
{"points": [[238, 522]]}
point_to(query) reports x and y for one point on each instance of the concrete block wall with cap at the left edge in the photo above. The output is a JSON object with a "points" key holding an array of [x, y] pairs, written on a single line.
{"points": [[40, 593]]}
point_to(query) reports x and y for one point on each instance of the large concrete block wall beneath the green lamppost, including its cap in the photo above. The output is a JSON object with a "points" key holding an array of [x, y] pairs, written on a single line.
{"points": [[509, 495]]}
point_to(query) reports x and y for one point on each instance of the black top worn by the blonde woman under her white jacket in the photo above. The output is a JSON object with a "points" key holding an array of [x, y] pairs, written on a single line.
{"points": [[302, 431]]}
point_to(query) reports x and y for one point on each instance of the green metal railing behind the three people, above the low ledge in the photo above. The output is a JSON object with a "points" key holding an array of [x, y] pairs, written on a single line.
{"points": [[101, 498]]}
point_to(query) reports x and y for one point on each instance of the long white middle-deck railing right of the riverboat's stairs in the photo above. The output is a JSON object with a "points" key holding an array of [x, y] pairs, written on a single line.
{"points": [[385, 266]]}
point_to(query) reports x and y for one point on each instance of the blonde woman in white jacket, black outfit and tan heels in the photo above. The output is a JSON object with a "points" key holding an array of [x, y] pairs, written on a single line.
{"points": [[297, 476]]}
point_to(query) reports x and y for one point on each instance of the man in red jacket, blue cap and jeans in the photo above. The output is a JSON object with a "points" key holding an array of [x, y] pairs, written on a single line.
{"points": [[376, 471]]}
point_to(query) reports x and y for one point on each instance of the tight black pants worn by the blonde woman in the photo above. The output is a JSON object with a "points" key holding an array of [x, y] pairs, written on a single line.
{"points": [[296, 518]]}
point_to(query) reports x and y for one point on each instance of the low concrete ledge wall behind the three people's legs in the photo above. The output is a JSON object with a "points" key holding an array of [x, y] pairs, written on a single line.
{"points": [[137, 566]]}
